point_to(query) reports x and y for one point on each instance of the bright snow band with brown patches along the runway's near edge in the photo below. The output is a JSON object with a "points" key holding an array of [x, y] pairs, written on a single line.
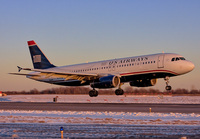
{"points": [[90, 117]]}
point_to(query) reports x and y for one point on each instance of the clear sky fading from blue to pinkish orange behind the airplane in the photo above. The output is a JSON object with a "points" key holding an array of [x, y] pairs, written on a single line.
{"points": [[76, 31]]}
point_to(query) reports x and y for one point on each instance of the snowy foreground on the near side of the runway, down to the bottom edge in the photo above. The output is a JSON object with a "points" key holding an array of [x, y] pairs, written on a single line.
{"points": [[79, 124]]}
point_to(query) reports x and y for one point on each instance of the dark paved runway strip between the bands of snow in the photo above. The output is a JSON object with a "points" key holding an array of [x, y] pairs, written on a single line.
{"points": [[101, 107]]}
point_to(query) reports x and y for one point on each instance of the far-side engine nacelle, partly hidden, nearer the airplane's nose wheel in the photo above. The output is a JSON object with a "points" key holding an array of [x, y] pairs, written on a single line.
{"points": [[143, 83]]}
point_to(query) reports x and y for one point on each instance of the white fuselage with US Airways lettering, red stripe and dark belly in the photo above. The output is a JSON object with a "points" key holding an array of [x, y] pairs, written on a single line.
{"points": [[129, 69]]}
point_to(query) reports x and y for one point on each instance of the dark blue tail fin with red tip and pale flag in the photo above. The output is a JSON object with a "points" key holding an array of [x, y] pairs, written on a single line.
{"points": [[39, 60]]}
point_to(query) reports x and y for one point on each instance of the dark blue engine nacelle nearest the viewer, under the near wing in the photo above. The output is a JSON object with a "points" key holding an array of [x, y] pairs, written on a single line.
{"points": [[110, 81]]}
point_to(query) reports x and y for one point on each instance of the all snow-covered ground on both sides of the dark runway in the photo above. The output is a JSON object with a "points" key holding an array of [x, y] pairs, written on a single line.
{"points": [[90, 124]]}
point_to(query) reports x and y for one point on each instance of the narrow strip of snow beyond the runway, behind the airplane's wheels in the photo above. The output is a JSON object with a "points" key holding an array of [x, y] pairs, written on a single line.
{"points": [[104, 99]]}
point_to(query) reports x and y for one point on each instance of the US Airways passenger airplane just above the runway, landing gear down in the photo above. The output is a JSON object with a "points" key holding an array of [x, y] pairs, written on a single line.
{"points": [[139, 71]]}
